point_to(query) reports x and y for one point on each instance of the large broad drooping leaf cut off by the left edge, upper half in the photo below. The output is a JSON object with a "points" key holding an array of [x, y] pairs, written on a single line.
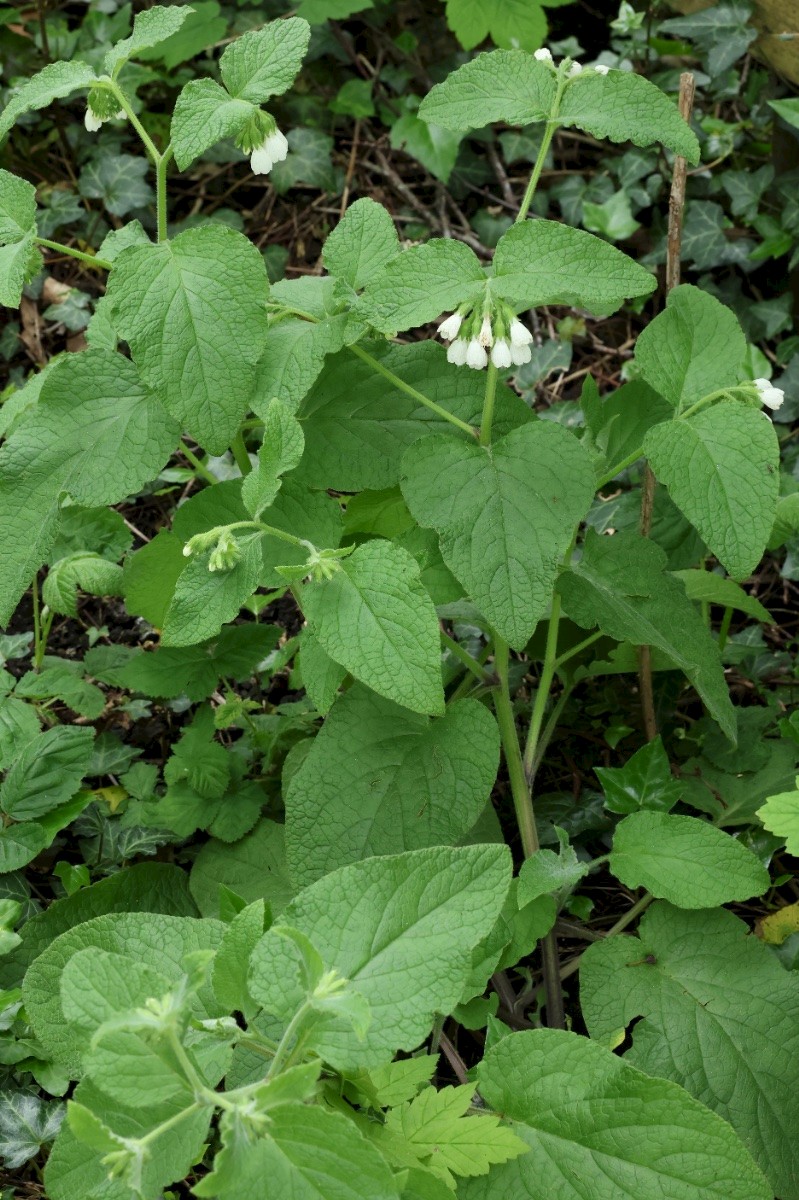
{"points": [[97, 434]]}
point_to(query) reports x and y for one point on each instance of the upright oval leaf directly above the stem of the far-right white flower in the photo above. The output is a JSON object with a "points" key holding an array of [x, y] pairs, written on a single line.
{"points": [[694, 347]]}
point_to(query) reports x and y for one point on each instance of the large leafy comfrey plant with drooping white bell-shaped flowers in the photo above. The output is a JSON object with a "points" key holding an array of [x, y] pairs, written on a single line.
{"points": [[290, 1047]]}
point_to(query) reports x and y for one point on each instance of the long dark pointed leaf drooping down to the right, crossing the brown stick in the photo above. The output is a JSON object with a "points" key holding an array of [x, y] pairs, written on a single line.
{"points": [[622, 586]]}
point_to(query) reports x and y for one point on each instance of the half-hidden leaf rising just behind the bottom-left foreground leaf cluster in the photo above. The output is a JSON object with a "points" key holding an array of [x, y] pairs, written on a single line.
{"points": [[255, 868]]}
